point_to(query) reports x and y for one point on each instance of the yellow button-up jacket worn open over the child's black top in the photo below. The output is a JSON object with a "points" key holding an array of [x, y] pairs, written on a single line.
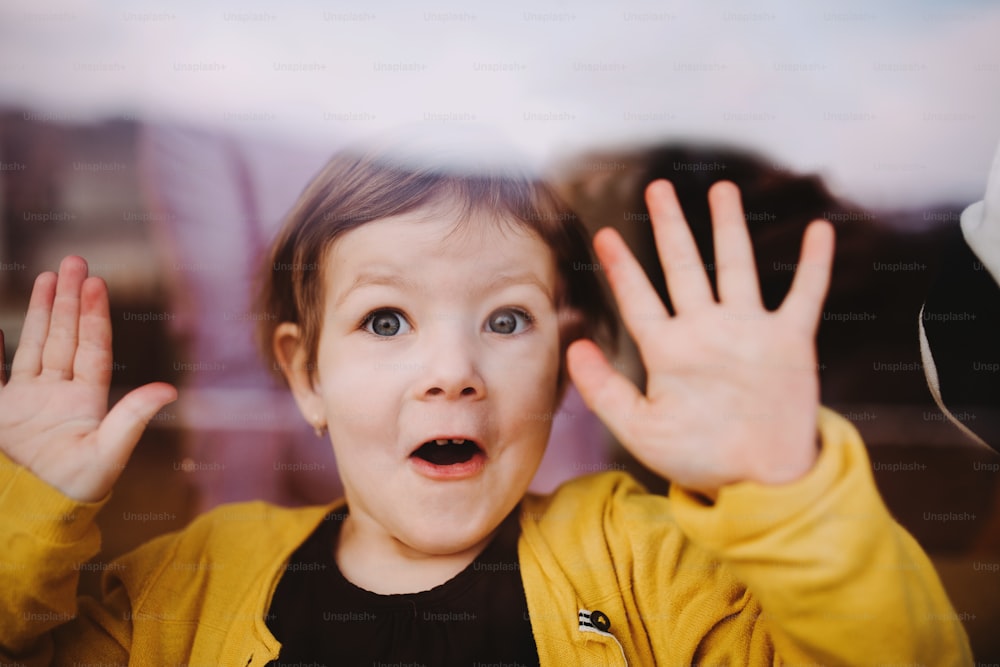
{"points": [[812, 572]]}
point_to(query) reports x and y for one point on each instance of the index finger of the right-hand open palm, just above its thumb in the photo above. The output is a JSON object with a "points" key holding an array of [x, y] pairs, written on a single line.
{"points": [[638, 302]]}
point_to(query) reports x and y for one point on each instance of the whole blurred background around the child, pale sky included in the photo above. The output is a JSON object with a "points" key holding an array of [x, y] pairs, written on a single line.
{"points": [[164, 143]]}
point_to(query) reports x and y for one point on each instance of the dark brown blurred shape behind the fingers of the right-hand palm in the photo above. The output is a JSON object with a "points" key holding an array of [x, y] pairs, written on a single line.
{"points": [[884, 265]]}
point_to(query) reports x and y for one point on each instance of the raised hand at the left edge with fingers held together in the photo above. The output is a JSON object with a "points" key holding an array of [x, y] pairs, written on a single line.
{"points": [[54, 417]]}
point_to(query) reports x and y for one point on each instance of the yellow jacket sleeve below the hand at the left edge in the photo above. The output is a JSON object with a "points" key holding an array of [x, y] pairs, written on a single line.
{"points": [[46, 538]]}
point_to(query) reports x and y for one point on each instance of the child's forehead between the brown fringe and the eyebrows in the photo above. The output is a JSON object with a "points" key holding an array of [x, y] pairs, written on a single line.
{"points": [[441, 243]]}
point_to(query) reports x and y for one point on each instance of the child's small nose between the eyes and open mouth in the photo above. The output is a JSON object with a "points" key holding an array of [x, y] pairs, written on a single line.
{"points": [[452, 369]]}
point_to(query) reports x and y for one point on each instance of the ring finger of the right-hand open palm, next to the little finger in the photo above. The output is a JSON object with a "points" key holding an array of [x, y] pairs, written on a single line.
{"points": [[736, 270]]}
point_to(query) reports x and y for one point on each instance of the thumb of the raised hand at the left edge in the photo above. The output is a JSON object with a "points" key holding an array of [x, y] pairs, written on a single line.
{"points": [[124, 424]]}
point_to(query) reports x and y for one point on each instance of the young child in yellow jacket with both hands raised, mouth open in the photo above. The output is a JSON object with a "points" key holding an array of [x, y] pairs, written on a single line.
{"points": [[429, 321]]}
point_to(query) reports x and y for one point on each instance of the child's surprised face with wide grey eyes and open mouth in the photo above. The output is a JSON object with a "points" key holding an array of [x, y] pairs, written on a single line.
{"points": [[429, 333]]}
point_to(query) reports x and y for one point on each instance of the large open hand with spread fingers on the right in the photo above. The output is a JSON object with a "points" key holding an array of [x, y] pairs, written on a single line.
{"points": [[732, 392]]}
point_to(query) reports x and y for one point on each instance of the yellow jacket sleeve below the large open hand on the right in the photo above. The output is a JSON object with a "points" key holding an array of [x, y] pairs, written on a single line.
{"points": [[835, 580]]}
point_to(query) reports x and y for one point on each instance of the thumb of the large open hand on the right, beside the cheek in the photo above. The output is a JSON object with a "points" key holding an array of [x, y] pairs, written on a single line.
{"points": [[607, 392]]}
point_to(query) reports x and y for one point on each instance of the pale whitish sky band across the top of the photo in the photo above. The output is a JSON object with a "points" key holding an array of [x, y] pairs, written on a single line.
{"points": [[895, 103]]}
